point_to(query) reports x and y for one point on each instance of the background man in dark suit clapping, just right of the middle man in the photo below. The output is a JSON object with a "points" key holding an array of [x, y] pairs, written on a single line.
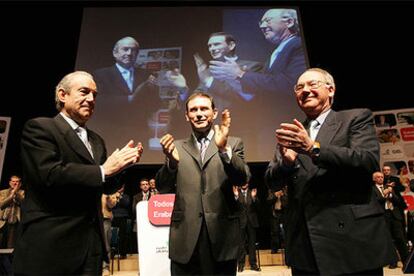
{"points": [[248, 206]]}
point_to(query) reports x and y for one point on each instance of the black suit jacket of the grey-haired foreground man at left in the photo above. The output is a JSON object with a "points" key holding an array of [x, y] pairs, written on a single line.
{"points": [[63, 191]]}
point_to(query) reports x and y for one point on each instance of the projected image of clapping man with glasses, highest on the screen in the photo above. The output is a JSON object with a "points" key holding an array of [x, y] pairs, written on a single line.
{"points": [[281, 28]]}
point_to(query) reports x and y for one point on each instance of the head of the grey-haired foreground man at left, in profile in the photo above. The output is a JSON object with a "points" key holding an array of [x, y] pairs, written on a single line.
{"points": [[75, 96]]}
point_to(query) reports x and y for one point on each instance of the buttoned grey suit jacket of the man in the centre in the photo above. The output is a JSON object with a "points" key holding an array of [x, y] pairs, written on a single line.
{"points": [[204, 190]]}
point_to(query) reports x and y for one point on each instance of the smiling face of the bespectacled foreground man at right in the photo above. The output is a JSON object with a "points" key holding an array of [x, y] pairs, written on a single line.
{"points": [[313, 94]]}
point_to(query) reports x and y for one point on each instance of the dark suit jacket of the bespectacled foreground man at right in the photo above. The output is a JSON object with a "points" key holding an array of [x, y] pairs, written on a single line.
{"points": [[333, 214]]}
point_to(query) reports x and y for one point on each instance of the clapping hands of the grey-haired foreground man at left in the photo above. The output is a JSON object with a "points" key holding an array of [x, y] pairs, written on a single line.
{"points": [[121, 158]]}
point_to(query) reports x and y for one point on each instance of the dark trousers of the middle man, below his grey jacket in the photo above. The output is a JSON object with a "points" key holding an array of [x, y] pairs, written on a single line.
{"points": [[202, 261]]}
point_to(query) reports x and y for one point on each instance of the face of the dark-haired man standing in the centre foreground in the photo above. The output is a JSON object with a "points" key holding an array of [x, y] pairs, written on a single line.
{"points": [[200, 114]]}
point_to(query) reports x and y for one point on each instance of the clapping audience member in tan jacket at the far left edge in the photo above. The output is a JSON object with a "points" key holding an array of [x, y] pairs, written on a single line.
{"points": [[10, 201]]}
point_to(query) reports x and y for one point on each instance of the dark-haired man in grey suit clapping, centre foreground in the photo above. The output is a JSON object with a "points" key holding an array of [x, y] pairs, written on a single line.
{"points": [[204, 234]]}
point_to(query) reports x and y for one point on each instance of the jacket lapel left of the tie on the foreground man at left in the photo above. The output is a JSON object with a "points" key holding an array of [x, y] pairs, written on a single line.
{"points": [[72, 139]]}
